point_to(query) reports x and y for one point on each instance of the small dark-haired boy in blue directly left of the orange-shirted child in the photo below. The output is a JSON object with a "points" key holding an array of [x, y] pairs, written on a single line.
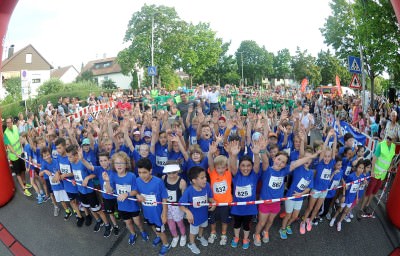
{"points": [[198, 194]]}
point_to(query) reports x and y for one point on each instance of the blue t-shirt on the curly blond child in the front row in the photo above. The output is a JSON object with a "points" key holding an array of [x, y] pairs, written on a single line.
{"points": [[122, 185]]}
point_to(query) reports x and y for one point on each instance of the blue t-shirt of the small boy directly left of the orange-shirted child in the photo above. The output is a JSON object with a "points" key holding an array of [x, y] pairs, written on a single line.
{"points": [[191, 195]]}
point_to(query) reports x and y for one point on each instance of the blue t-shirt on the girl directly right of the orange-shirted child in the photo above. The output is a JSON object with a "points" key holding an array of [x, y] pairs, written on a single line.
{"points": [[244, 190]]}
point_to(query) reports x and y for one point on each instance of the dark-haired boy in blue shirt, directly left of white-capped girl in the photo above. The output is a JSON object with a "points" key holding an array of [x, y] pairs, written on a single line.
{"points": [[151, 190]]}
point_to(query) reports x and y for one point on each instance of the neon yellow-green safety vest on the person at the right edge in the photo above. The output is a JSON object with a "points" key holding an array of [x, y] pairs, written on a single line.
{"points": [[384, 160]]}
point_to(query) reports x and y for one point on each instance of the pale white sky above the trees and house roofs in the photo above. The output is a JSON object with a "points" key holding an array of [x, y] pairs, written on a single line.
{"points": [[71, 32]]}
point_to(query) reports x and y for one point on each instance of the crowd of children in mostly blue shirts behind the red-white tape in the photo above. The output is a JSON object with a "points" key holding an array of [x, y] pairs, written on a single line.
{"points": [[141, 160]]}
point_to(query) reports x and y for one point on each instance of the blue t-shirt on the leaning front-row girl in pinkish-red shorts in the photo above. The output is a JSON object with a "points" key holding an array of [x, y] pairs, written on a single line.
{"points": [[272, 183]]}
